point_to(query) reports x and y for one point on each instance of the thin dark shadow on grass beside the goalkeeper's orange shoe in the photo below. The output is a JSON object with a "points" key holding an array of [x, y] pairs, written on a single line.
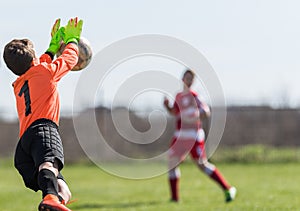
{"points": [[91, 206]]}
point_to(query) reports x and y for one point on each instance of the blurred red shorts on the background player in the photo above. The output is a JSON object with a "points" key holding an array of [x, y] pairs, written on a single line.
{"points": [[181, 147]]}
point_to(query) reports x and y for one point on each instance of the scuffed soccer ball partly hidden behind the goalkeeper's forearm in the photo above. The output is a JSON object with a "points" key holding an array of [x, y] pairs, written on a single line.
{"points": [[85, 54]]}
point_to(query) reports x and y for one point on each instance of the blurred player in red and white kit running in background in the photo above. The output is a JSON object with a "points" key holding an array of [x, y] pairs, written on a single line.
{"points": [[189, 138]]}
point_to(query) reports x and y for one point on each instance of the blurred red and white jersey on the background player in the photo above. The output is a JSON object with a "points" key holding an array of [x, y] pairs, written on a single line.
{"points": [[187, 105]]}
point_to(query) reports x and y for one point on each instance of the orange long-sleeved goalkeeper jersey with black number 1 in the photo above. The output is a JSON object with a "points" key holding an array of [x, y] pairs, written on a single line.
{"points": [[36, 90]]}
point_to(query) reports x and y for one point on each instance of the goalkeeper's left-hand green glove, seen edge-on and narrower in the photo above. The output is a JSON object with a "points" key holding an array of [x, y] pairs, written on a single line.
{"points": [[56, 37]]}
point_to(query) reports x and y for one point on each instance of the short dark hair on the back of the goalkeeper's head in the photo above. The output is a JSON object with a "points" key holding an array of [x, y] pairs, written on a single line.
{"points": [[18, 55]]}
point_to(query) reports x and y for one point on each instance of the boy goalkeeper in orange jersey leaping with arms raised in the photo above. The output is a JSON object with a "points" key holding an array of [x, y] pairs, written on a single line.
{"points": [[39, 154]]}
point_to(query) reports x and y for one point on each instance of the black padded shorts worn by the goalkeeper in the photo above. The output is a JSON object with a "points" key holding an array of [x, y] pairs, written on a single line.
{"points": [[40, 143]]}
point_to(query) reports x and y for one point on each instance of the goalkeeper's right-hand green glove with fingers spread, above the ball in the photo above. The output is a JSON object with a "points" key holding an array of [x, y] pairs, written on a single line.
{"points": [[73, 31]]}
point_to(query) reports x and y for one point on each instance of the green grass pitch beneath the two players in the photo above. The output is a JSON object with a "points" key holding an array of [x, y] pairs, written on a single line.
{"points": [[260, 187]]}
